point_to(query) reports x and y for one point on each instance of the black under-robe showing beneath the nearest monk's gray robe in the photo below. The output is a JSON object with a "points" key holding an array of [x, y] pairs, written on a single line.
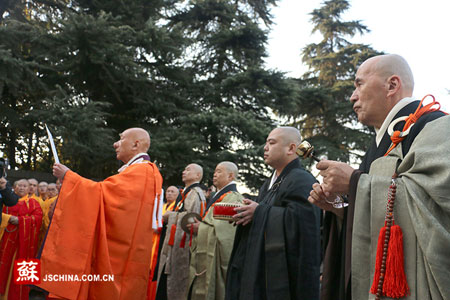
{"points": [[336, 283]]}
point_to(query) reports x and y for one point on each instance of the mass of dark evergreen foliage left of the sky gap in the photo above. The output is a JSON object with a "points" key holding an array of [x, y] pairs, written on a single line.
{"points": [[190, 72]]}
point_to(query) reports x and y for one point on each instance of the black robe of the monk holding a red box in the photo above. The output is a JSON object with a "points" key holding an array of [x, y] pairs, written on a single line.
{"points": [[277, 255]]}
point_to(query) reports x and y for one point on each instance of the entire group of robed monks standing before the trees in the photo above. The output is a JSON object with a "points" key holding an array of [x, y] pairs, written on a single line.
{"points": [[270, 247]]}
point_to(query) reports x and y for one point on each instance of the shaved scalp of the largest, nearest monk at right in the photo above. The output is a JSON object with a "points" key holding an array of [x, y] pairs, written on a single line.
{"points": [[393, 64]]}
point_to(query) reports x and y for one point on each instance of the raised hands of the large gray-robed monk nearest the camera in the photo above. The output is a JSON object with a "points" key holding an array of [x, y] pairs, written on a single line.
{"points": [[336, 177]]}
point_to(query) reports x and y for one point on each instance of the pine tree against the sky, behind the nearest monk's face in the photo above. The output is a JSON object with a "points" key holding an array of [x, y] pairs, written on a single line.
{"points": [[323, 109]]}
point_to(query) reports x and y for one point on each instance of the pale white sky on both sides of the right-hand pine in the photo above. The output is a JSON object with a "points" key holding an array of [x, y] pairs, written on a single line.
{"points": [[416, 30]]}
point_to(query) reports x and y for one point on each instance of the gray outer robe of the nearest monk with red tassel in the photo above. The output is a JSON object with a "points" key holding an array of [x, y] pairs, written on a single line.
{"points": [[422, 209]]}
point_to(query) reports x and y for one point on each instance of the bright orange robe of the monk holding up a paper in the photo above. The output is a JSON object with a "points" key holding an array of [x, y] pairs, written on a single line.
{"points": [[102, 228]]}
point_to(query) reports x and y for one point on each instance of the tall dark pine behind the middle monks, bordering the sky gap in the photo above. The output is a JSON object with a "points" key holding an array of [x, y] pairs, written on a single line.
{"points": [[231, 89]]}
